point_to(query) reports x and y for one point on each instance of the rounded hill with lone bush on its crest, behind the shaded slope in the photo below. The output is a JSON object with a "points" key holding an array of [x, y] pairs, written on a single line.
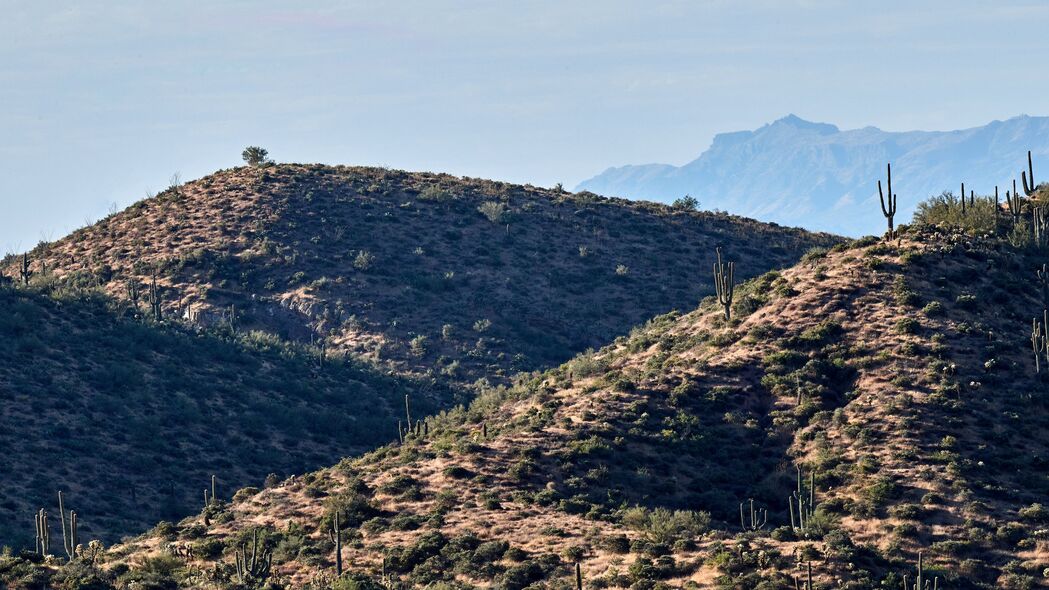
{"points": [[425, 275]]}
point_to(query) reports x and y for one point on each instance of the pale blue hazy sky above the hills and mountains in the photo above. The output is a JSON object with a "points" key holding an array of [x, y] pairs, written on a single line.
{"points": [[101, 102]]}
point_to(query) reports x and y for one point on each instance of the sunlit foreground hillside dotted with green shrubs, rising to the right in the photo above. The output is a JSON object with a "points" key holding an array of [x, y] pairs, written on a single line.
{"points": [[898, 377]]}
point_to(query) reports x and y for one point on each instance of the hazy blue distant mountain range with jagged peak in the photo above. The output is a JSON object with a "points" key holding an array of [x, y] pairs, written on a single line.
{"points": [[816, 176]]}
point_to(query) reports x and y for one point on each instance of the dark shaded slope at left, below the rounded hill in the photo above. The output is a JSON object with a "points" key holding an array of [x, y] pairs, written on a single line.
{"points": [[132, 419]]}
